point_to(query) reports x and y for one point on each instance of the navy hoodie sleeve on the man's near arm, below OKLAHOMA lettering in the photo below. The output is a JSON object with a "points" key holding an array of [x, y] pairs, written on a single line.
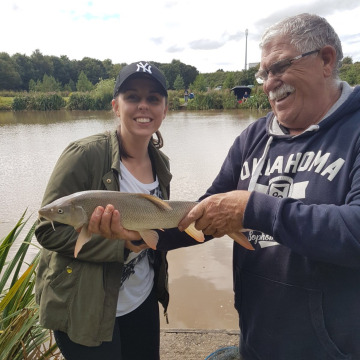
{"points": [[323, 232]]}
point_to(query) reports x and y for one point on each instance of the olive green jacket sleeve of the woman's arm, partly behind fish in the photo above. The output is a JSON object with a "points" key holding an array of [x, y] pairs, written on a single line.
{"points": [[73, 172]]}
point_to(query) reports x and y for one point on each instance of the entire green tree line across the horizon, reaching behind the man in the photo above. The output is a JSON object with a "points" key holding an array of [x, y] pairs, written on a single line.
{"points": [[43, 73]]}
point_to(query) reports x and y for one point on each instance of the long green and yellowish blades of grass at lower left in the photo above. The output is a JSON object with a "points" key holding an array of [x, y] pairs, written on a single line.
{"points": [[21, 336]]}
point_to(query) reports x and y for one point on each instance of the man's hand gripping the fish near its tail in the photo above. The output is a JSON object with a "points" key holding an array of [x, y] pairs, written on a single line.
{"points": [[218, 214]]}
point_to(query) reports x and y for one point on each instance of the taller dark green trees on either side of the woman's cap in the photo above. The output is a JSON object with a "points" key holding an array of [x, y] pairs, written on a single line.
{"points": [[20, 72]]}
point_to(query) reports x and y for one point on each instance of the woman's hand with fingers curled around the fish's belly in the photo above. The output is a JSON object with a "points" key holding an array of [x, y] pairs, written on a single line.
{"points": [[107, 223]]}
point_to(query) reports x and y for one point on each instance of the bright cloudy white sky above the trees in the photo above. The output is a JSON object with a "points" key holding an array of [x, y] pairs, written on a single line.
{"points": [[208, 35]]}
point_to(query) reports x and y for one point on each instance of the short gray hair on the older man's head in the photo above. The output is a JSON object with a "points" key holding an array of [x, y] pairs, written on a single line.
{"points": [[306, 32]]}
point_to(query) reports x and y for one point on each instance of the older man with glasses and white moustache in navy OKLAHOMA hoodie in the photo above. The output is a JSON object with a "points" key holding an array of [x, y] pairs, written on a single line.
{"points": [[293, 179]]}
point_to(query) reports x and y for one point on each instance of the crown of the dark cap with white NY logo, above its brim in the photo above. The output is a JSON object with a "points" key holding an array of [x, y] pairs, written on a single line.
{"points": [[140, 68]]}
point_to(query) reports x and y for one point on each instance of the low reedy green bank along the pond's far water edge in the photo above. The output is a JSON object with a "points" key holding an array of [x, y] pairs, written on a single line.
{"points": [[209, 100]]}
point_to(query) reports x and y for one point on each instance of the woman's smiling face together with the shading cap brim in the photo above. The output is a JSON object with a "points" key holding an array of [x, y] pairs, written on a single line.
{"points": [[140, 107]]}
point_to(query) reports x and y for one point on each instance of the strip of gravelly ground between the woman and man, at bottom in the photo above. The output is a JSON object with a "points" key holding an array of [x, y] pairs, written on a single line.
{"points": [[179, 344]]}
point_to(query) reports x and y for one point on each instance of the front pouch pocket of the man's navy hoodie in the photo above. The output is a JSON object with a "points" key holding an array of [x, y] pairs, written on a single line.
{"points": [[282, 321]]}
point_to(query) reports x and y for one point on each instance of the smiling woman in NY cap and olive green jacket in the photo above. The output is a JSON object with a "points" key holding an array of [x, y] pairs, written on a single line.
{"points": [[104, 303]]}
